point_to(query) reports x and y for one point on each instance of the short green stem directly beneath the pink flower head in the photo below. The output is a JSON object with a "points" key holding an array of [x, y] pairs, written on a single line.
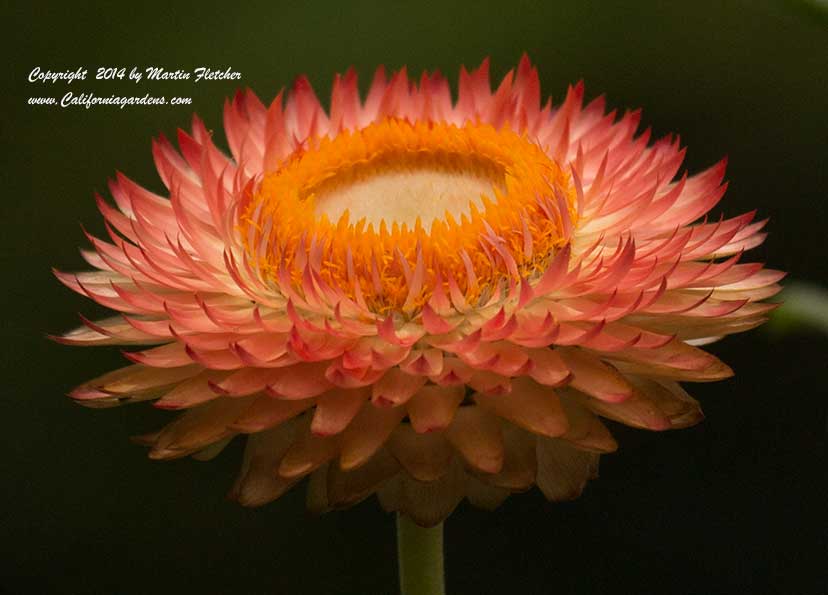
{"points": [[420, 552]]}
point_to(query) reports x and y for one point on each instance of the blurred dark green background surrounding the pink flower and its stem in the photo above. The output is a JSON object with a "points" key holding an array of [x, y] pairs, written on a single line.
{"points": [[734, 505]]}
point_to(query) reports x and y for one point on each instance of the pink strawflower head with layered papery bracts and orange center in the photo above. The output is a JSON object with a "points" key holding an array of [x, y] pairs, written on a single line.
{"points": [[415, 297]]}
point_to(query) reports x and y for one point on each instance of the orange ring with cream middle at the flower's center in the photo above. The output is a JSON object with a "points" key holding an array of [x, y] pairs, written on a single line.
{"points": [[387, 212]]}
